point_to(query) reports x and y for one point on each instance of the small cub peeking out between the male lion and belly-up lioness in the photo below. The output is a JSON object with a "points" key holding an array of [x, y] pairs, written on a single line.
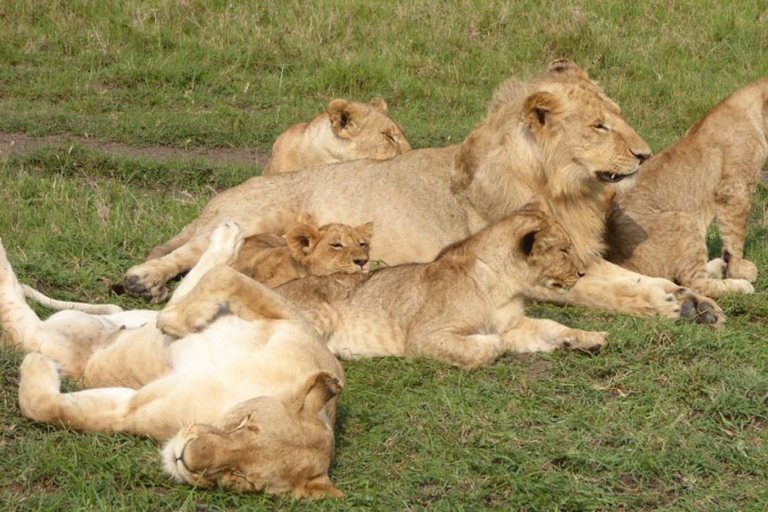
{"points": [[306, 250]]}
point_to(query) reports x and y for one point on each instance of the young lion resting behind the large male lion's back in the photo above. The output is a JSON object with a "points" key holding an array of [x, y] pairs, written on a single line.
{"points": [[347, 130]]}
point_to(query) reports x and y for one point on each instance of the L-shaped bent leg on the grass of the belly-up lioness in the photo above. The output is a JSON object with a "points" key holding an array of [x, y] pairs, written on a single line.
{"points": [[40, 399]]}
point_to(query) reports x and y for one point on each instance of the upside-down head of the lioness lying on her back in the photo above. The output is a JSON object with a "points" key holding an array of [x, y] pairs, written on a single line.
{"points": [[263, 444]]}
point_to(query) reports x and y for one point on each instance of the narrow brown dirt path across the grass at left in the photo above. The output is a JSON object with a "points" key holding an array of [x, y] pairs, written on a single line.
{"points": [[20, 143]]}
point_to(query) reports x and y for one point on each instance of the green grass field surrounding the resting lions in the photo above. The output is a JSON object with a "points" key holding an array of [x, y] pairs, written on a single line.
{"points": [[671, 416]]}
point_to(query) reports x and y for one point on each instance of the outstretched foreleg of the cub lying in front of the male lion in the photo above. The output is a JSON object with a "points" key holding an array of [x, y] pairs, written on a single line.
{"points": [[542, 335]]}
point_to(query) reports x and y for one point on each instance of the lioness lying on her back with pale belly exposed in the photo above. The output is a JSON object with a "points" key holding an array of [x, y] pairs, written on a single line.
{"points": [[248, 403]]}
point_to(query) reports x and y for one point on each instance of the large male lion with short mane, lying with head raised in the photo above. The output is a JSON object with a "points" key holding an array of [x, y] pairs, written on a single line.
{"points": [[556, 139]]}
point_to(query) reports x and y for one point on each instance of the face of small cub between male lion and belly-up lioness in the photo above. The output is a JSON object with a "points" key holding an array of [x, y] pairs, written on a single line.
{"points": [[330, 249]]}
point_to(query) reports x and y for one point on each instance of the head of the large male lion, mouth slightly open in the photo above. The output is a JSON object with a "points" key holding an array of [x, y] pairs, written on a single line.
{"points": [[561, 130]]}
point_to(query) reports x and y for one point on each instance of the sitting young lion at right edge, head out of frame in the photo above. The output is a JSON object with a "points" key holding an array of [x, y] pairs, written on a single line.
{"points": [[659, 227]]}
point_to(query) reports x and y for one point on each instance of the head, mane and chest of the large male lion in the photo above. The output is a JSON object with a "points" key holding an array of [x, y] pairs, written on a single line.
{"points": [[558, 139]]}
